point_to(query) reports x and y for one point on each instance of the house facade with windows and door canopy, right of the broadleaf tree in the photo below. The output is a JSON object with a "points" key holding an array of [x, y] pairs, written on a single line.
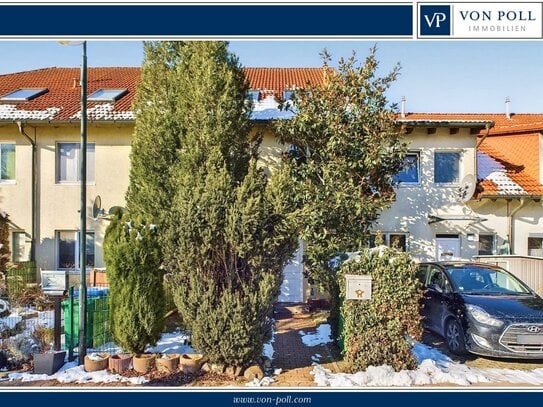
{"points": [[432, 215]]}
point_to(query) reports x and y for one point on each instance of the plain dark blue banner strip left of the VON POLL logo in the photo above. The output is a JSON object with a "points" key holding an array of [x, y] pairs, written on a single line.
{"points": [[206, 20]]}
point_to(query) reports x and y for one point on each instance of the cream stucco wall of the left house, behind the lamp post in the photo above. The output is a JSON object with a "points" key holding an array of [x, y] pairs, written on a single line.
{"points": [[59, 204]]}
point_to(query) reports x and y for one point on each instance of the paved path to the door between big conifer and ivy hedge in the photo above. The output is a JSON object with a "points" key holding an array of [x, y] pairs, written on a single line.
{"points": [[291, 354]]}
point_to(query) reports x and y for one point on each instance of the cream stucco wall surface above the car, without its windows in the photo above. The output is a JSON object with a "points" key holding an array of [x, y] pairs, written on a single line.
{"points": [[415, 203]]}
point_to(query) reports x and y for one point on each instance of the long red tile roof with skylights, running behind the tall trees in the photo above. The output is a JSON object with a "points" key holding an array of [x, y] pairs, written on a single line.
{"points": [[63, 98]]}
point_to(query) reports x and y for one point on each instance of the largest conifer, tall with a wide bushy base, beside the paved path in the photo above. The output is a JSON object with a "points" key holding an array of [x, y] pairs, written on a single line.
{"points": [[228, 234]]}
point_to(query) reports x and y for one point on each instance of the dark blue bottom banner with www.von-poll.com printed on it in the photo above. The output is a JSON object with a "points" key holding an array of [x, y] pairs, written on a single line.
{"points": [[261, 397]]}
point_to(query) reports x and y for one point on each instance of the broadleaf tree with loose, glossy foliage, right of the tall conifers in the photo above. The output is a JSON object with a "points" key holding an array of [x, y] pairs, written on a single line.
{"points": [[348, 149]]}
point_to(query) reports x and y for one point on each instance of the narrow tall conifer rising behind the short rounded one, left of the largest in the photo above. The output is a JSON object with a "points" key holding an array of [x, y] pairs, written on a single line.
{"points": [[157, 130]]}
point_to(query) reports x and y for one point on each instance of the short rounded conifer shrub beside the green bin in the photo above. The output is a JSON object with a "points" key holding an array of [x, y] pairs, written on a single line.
{"points": [[133, 257]]}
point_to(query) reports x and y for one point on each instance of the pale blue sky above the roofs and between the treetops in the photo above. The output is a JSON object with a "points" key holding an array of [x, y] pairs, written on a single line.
{"points": [[446, 76]]}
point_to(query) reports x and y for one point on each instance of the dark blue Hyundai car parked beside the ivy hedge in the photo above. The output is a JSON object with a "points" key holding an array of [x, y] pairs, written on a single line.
{"points": [[482, 309]]}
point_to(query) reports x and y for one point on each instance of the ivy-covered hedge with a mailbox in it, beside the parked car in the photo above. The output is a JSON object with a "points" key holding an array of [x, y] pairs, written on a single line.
{"points": [[376, 331]]}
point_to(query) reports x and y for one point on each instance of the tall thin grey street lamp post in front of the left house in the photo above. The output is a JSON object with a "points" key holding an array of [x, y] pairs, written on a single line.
{"points": [[82, 347]]}
